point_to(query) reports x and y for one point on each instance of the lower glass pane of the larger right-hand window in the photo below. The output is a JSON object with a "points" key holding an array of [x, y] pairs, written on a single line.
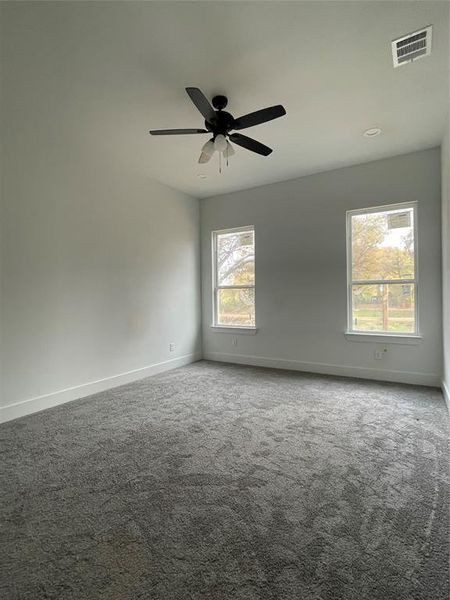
{"points": [[384, 308]]}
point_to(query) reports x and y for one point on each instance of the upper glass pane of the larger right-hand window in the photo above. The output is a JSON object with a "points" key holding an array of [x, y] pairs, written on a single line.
{"points": [[383, 245]]}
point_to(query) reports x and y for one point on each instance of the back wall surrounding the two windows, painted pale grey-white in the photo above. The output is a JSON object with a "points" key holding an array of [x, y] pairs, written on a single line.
{"points": [[301, 269]]}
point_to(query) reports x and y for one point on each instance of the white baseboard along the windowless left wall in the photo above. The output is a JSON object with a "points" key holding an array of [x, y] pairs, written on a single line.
{"points": [[25, 407]]}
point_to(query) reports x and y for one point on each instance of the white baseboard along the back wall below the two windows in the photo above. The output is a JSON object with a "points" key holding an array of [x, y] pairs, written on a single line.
{"points": [[429, 379]]}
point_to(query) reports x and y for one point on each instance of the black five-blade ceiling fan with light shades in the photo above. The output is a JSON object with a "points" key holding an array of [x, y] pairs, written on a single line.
{"points": [[220, 124]]}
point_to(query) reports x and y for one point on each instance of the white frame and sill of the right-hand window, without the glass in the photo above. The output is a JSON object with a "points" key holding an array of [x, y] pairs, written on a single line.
{"points": [[415, 281]]}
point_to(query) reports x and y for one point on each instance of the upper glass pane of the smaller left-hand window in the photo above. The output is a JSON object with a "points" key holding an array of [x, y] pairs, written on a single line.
{"points": [[236, 258]]}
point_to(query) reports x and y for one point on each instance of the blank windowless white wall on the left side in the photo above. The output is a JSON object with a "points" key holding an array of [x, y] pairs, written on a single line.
{"points": [[100, 265]]}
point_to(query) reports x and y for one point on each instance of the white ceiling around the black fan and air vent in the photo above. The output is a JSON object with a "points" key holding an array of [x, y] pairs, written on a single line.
{"points": [[121, 69]]}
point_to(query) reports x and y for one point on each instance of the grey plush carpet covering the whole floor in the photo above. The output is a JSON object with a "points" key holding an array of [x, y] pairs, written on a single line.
{"points": [[223, 482]]}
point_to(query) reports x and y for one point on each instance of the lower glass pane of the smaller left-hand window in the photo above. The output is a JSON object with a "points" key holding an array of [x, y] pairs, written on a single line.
{"points": [[236, 307]]}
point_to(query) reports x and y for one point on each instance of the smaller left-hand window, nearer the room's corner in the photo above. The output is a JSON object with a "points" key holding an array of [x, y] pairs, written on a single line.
{"points": [[234, 277]]}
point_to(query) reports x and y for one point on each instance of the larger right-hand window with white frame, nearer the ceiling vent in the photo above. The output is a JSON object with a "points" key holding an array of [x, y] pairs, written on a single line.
{"points": [[382, 270]]}
